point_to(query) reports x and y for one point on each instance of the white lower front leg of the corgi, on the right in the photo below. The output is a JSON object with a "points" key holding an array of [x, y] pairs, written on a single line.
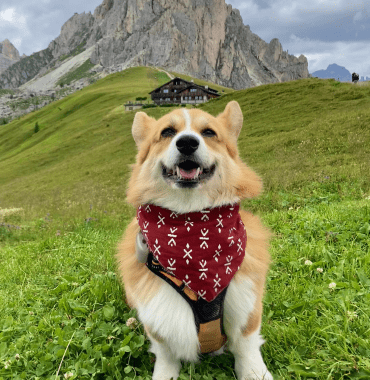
{"points": [[249, 364]]}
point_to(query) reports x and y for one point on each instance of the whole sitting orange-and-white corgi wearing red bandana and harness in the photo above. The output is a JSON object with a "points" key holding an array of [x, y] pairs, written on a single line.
{"points": [[188, 171]]}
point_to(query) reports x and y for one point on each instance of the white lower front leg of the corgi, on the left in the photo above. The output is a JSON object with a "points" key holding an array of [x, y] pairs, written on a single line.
{"points": [[166, 365]]}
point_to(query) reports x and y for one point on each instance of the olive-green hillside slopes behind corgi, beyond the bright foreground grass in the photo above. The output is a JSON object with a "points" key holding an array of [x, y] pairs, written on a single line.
{"points": [[294, 133]]}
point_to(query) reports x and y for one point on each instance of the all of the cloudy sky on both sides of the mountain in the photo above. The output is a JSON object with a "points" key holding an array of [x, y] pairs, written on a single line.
{"points": [[325, 31]]}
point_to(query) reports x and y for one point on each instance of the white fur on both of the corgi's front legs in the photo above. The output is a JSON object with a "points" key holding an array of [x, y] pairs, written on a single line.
{"points": [[171, 319]]}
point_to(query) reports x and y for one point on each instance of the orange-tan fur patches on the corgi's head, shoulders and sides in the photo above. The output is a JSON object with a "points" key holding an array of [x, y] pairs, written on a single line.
{"points": [[236, 180]]}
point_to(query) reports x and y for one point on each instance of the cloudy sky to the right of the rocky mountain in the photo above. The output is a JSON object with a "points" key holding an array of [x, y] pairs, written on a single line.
{"points": [[325, 31]]}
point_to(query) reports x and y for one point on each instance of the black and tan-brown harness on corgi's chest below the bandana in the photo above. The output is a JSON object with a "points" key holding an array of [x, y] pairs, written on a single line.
{"points": [[208, 316]]}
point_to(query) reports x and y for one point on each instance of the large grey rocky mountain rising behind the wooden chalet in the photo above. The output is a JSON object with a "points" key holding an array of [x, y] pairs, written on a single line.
{"points": [[202, 38]]}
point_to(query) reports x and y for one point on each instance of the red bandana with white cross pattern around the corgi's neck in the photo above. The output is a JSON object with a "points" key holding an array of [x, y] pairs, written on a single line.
{"points": [[203, 249]]}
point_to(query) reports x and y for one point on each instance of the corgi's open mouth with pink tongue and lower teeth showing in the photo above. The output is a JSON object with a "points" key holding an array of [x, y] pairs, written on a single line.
{"points": [[188, 173]]}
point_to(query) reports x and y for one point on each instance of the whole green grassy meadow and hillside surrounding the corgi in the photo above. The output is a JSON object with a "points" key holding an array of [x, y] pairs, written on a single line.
{"points": [[63, 210]]}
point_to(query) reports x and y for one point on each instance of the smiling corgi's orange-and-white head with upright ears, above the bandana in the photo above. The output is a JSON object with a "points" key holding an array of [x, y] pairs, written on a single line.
{"points": [[188, 160]]}
